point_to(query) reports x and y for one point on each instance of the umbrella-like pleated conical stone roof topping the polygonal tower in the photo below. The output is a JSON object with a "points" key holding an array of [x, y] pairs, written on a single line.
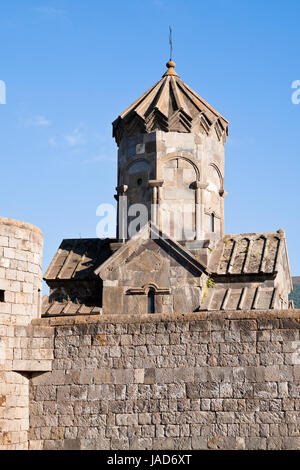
{"points": [[171, 106]]}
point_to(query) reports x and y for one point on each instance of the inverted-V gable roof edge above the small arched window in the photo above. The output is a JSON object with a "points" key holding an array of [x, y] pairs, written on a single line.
{"points": [[150, 231]]}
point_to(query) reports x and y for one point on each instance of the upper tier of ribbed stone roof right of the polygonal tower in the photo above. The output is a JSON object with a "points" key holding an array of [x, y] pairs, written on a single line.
{"points": [[247, 253]]}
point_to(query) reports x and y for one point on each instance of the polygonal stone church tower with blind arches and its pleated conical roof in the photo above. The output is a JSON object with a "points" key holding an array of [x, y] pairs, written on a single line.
{"points": [[171, 156]]}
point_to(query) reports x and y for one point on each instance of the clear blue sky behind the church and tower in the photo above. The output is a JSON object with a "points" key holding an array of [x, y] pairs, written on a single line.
{"points": [[71, 67]]}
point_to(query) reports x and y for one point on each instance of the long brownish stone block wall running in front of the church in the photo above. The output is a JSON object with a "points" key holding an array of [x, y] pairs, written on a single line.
{"points": [[215, 380]]}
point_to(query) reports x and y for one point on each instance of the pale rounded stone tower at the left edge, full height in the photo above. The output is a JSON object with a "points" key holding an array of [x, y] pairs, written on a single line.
{"points": [[20, 286]]}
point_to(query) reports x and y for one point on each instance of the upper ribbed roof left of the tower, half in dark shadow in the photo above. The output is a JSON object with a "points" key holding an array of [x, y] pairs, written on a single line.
{"points": [[78, 259]]}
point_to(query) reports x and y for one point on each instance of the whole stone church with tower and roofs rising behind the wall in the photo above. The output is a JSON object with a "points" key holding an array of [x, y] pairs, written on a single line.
{"points": [[171, 254]]}
